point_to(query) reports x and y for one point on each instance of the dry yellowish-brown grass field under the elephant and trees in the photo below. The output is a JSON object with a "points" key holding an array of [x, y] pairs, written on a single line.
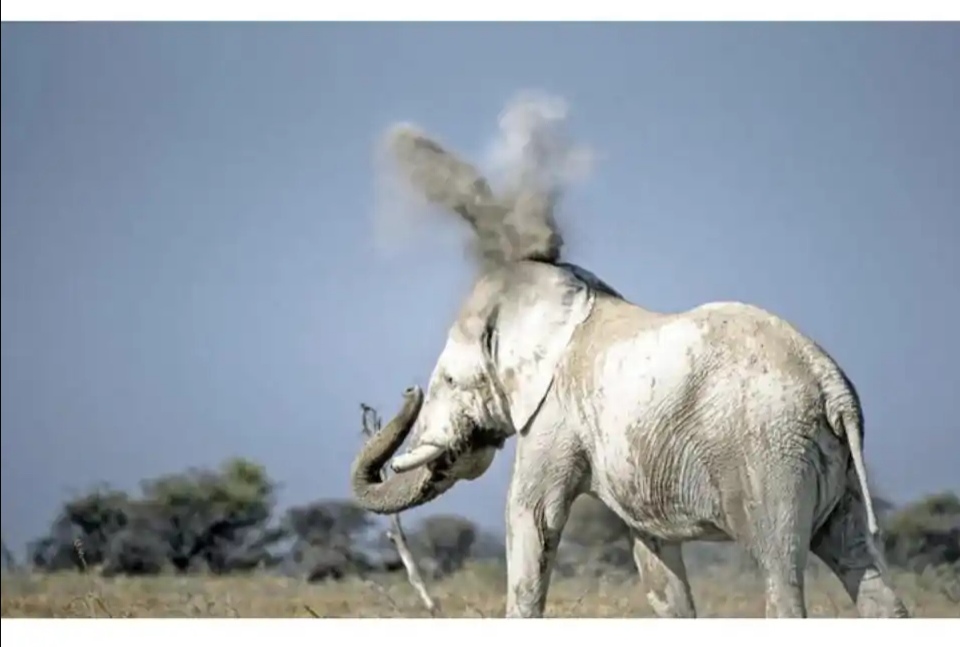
{"points": [[476, 592]]}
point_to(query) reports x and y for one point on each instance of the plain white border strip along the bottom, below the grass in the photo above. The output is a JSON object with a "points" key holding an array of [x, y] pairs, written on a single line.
{"points": [[477, 631]]}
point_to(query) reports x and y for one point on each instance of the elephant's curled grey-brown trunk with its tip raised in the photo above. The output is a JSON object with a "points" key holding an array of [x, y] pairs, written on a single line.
{"points": [[399, 491]]}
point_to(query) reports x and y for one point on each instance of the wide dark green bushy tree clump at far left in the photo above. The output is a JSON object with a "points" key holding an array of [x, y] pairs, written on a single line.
{"points": [[217, 519]]}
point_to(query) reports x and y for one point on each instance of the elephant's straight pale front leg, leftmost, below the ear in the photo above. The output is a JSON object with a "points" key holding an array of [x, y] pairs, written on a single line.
{"points": [[537, 507]]}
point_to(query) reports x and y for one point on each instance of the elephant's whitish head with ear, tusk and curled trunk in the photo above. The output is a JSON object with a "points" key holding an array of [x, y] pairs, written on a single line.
{"points": [[491, 378]]}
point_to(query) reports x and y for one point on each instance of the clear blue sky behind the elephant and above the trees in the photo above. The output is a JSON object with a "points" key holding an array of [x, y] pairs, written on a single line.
{"points": [[188, 261]]}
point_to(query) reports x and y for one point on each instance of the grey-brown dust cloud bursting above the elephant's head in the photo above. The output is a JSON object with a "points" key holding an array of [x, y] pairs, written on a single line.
{"points": [[510, 201]]}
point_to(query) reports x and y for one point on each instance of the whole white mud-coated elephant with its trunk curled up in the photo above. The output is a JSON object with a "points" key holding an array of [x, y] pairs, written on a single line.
{"points": [[719, 423]]}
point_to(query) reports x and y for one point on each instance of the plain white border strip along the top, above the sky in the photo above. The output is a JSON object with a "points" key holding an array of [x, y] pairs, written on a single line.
{"points": [[885, 10]]}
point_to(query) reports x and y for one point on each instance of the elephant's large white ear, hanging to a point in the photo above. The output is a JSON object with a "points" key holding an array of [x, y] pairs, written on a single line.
{"points": [[532, 330]]}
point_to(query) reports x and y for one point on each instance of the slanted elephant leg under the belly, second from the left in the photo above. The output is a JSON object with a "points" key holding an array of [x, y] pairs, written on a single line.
{"points": [[664, 574]]}
